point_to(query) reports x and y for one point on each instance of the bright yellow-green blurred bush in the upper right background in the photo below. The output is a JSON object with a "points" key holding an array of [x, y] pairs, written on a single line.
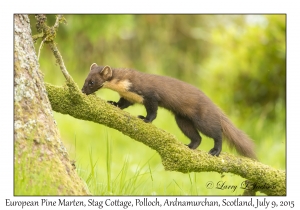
{"points": [[251, 63]]}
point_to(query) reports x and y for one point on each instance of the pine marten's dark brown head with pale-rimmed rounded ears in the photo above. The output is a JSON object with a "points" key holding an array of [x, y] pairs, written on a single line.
{"points": [[97, 77]]}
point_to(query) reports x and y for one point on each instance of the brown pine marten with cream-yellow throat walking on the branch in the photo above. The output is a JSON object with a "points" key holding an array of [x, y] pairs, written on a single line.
{"points": [[193, 110]]}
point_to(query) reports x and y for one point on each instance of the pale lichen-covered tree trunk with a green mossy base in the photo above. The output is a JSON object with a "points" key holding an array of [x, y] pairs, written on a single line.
{"points": [[40, 156]]}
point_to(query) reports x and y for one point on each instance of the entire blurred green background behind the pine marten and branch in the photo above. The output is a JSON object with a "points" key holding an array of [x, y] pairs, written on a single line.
{"points": [[239, 61]]}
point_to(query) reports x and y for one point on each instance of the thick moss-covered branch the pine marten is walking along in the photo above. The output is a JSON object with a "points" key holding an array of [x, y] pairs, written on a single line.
{"points": [[174, 154]]}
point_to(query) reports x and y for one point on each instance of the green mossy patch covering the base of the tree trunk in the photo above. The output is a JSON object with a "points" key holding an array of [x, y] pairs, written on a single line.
{"points": [[32, 175]]}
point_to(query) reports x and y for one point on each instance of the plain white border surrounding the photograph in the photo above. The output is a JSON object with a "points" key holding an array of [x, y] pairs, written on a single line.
{"points": [[236, 6]]}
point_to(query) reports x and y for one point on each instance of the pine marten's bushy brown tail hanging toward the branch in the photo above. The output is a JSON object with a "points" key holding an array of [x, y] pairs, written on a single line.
{"points": [[237, 138]]}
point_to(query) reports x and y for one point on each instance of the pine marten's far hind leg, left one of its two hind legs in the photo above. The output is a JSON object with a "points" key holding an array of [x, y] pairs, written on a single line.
{"points": [[188, 128]]}
